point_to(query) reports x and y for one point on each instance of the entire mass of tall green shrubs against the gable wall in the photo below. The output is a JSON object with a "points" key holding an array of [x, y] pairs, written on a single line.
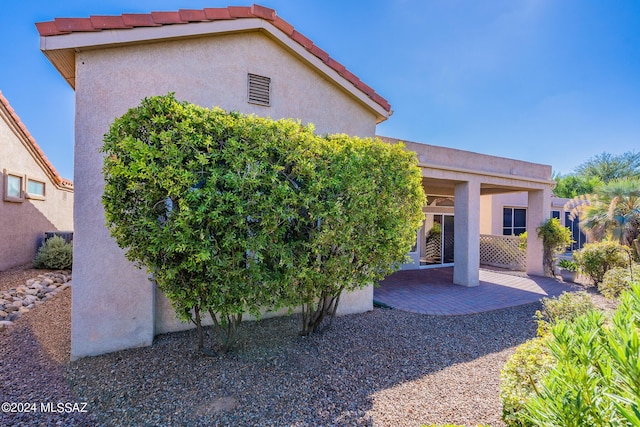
{"points": [[234, 214]]}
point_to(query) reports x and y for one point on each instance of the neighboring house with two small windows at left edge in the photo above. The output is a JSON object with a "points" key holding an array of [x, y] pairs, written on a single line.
{"points": [[34, 199]]}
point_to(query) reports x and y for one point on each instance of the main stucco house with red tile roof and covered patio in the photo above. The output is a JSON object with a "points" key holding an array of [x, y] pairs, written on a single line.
{"points": [[250, 60]]}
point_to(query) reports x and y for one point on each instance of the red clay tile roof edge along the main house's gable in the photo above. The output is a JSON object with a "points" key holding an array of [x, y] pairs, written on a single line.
{"points": [[62, 26]]}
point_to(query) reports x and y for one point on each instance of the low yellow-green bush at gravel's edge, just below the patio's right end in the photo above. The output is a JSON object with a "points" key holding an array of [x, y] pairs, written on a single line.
{"points": [[567, 307]]}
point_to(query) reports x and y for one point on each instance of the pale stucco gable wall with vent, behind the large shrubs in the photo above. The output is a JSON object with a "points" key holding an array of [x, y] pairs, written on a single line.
{"points": [[114, 306]]}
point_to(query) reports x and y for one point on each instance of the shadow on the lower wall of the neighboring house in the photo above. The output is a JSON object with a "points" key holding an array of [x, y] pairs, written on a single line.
{"points": [[22, 228]]}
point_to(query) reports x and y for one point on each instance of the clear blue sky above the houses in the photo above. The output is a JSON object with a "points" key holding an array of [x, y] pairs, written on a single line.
{"points": [[547, 81]]}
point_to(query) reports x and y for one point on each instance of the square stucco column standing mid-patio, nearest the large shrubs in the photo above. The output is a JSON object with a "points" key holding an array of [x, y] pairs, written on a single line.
{"points": [[467, 234]]}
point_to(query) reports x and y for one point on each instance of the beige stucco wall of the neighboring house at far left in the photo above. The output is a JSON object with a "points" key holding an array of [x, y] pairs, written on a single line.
{"points": [[24, 223]]}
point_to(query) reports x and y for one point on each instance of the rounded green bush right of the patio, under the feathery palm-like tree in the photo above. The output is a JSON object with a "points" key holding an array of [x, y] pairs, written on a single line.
{"points": [[595, 259]]}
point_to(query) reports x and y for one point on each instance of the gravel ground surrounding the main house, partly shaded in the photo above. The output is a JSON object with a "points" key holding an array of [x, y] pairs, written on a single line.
{"points": [[382, 368]]}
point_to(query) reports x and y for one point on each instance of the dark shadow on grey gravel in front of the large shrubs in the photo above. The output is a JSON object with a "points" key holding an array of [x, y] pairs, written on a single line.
{"points": [[277, 377]]}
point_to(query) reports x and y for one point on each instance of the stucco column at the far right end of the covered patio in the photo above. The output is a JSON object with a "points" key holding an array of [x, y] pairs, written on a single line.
{"points": [[538, 211]]}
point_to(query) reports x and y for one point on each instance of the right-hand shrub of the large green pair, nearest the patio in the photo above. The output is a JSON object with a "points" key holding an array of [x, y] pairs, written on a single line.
{"points": [[362, 225]]}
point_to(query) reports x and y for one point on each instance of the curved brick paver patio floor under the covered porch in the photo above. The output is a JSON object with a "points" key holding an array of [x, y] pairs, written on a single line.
{"points": [[431, 291]]}
